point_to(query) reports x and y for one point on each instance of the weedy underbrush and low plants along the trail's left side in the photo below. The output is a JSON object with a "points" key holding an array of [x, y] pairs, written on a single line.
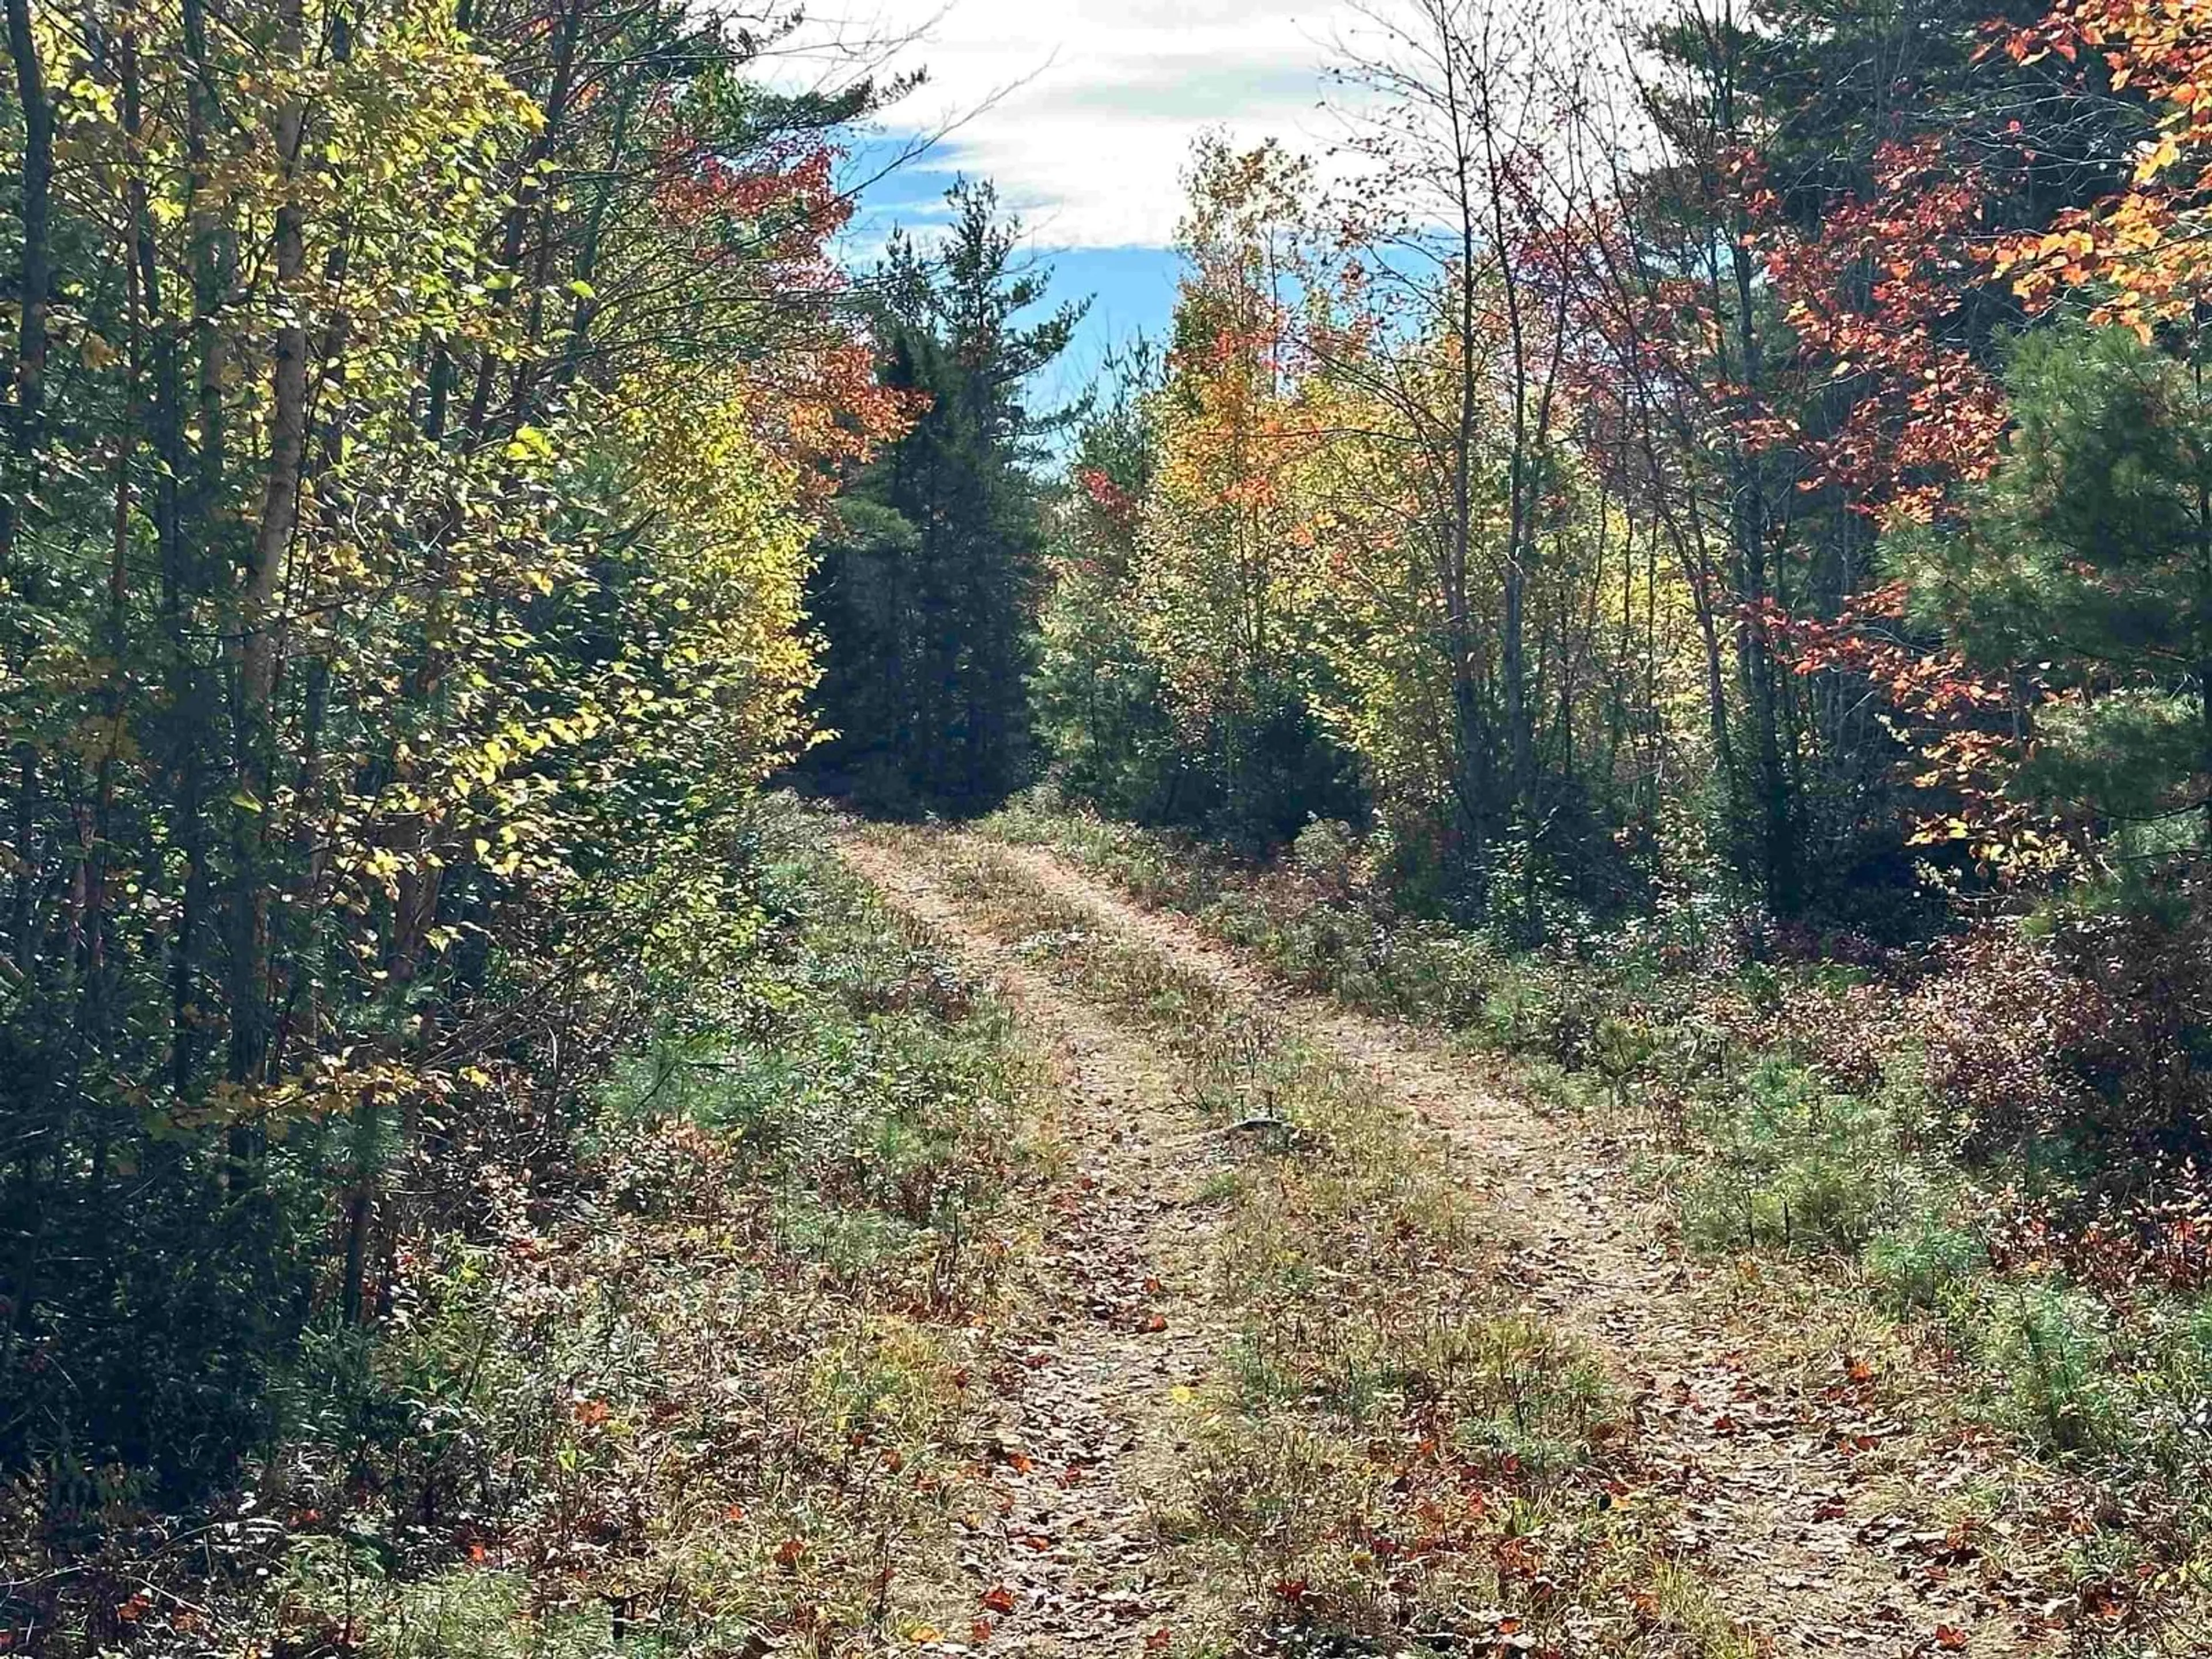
{"points": [[700, 1386]]}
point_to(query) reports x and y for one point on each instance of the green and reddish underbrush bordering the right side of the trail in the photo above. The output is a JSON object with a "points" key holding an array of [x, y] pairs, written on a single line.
{"points": [[1981, 1151]]}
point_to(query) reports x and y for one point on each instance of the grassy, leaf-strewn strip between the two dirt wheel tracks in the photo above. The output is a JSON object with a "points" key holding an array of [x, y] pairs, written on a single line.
{"points": [[1392, 1459]]}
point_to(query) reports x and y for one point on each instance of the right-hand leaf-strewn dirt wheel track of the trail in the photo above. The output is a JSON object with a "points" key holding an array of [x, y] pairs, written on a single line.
{"points": [[1802, 1512]]}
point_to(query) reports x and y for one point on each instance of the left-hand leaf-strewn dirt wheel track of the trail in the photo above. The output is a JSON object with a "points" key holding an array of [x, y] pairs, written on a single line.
{"points": [[1085, 1441]]}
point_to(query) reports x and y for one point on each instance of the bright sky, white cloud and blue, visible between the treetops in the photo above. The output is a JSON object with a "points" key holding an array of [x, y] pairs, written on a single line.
{"points": [[1085, 112]]}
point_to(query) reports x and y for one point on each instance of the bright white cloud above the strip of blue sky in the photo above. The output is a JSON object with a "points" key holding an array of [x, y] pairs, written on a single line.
{"points": [[1085, 109]]}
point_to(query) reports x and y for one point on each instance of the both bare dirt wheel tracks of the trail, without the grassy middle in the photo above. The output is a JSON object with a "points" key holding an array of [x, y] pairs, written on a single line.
{"points": [[1791, 1488]]}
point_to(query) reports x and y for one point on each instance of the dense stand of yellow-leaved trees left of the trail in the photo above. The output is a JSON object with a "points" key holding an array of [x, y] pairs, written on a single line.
{"points": [[417, 419]]}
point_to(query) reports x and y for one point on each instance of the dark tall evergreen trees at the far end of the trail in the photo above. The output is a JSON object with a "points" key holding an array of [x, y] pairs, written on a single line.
{"points": [[928, 585]]}
